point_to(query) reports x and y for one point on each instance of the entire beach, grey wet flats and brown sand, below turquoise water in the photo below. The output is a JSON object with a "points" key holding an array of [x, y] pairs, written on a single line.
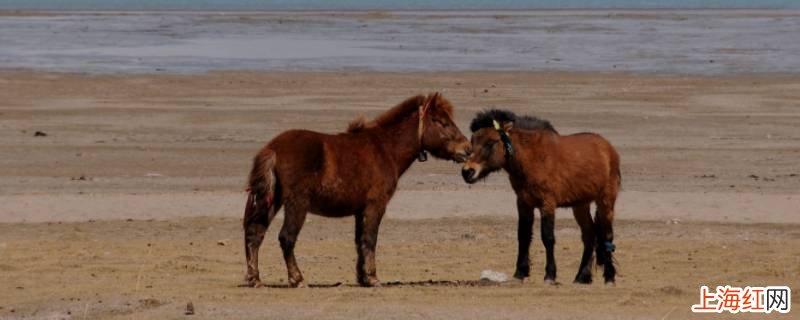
{"points": [[126, 138]]}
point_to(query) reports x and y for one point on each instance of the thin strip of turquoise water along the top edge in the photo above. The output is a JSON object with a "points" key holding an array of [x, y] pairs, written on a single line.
{"points": [[237, 5]]}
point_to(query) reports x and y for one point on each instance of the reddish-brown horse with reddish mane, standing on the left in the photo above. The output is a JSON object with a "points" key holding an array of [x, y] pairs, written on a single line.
{"points": [[350, 173]]}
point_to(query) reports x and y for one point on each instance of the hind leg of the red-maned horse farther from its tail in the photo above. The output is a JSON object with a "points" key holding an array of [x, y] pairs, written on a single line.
{"points": [[292, 223]]}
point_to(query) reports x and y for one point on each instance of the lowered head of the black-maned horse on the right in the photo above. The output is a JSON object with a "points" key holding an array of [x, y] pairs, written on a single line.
{"points": [[491, 148]]}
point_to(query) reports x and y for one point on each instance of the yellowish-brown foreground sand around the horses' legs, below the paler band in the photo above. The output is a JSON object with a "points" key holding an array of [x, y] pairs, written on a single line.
{"points": [[152, 269]]}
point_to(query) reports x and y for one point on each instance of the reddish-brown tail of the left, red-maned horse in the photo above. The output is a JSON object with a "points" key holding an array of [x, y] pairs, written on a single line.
{"points": [[261, 185]]}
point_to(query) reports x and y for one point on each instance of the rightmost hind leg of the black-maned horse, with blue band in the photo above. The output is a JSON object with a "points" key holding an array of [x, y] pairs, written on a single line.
{"points": [[604, 220]]}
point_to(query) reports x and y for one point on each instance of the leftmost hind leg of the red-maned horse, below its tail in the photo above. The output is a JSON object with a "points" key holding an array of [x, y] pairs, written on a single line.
{"points": [[256, 221]]}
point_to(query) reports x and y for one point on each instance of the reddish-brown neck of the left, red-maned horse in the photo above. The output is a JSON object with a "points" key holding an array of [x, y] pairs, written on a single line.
{"points": [[401, 143]]}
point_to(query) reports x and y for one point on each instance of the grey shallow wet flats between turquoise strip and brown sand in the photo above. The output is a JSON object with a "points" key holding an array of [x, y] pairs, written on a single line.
{"points": [[686, 42]]}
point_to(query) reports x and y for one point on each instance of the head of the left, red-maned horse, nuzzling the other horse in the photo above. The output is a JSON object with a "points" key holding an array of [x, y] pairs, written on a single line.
{"points": [[438, 134]]}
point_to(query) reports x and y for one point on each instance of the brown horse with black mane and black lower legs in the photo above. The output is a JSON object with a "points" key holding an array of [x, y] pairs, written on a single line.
{"points": [[548, 170]]}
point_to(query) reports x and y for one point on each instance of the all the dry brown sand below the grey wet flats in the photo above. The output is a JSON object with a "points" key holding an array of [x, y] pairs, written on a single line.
{"points": [[717, 155]]}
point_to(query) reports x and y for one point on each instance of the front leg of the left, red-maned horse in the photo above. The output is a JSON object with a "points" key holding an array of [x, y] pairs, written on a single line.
{"points": [[367, 225]]}
